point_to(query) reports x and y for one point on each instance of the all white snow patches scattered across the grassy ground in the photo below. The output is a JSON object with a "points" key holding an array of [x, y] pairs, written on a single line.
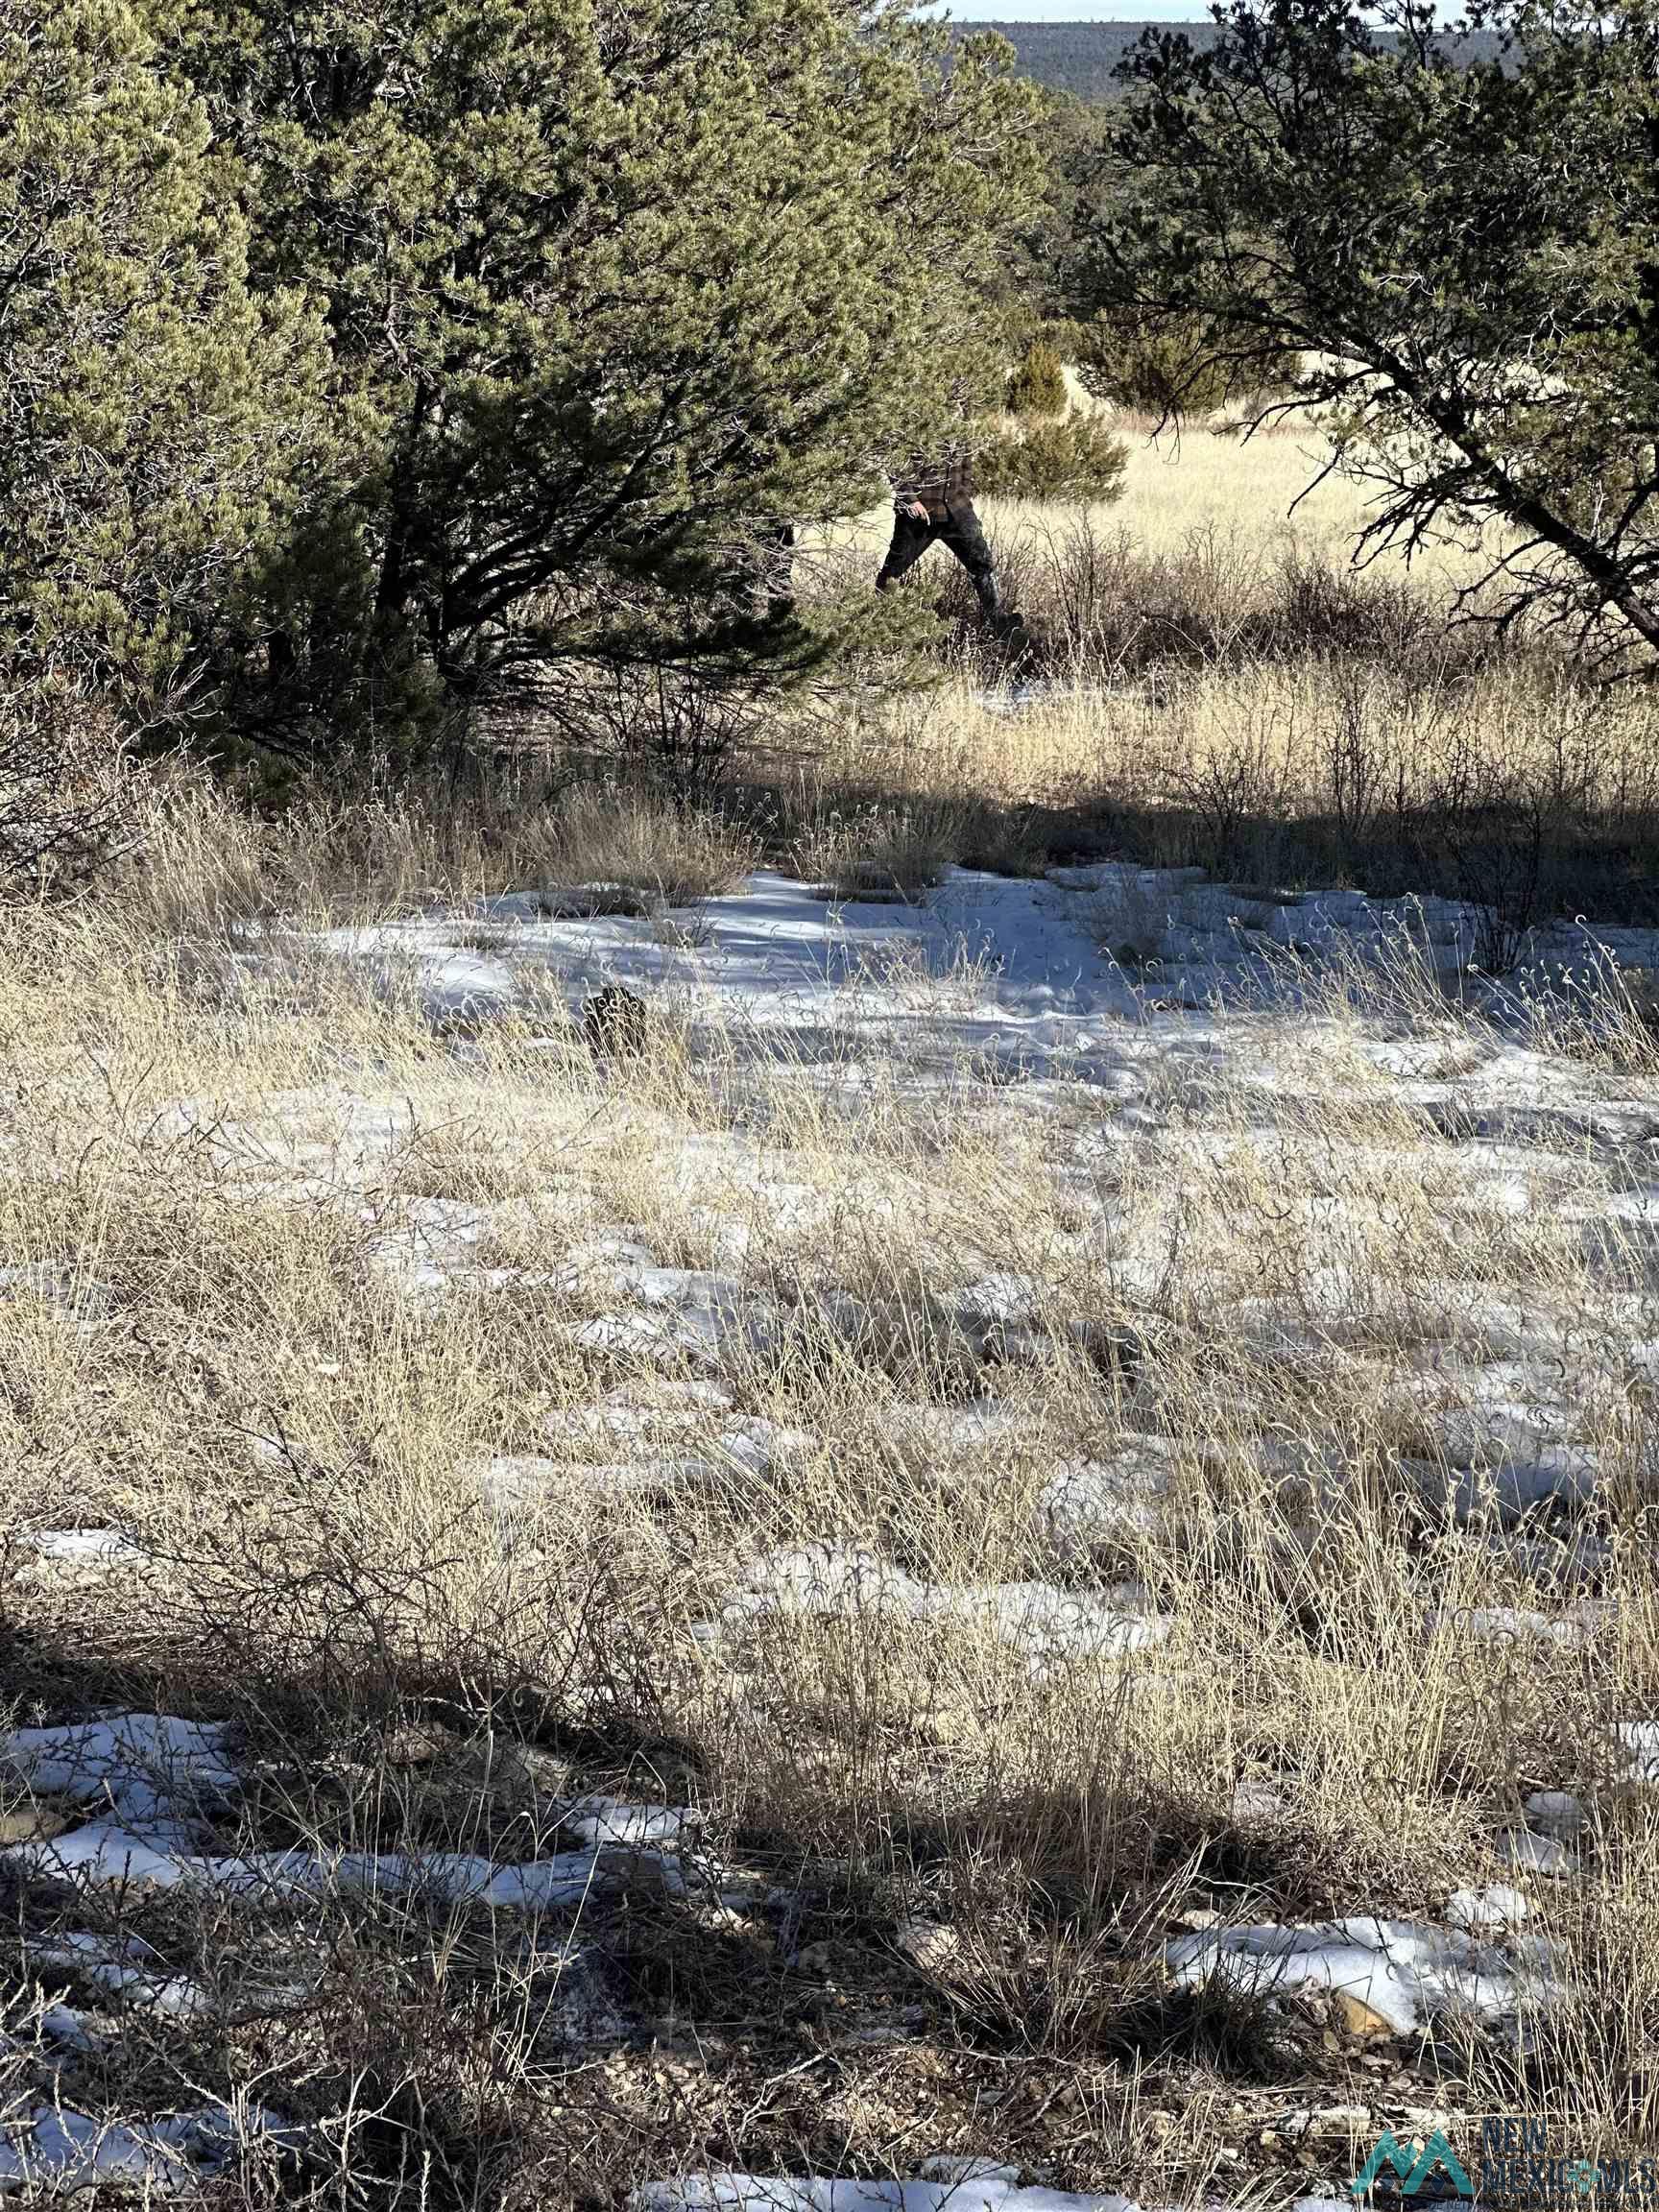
{"points": [[1114, 979]]}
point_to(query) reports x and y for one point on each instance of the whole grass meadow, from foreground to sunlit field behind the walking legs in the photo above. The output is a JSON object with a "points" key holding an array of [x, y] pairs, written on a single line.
{"points": [[1010, 1536]]}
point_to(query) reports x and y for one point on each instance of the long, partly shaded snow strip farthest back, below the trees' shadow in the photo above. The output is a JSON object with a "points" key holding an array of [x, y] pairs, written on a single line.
{"points": [[1034, 963]]}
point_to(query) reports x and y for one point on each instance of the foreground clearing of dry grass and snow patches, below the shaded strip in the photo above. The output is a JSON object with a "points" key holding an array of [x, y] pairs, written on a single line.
{"points": [[994, 1545]]}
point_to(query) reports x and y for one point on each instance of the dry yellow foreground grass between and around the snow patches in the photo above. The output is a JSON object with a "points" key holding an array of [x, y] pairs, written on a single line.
{"points": [[1264, 1277]]}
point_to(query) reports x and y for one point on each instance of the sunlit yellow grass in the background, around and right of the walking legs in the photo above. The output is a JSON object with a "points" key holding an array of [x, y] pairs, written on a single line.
{"points": [[1215, 685]]}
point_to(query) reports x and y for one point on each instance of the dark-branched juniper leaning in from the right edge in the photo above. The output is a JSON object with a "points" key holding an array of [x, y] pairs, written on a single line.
{"points": [[1454, 255]]}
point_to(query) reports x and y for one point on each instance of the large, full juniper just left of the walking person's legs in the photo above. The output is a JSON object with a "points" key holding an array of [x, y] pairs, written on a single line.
{"points": [[612, 291]]}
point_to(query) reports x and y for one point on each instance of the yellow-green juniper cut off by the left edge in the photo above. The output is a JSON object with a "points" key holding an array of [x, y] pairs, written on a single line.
{"points": [[152, 408]]}
